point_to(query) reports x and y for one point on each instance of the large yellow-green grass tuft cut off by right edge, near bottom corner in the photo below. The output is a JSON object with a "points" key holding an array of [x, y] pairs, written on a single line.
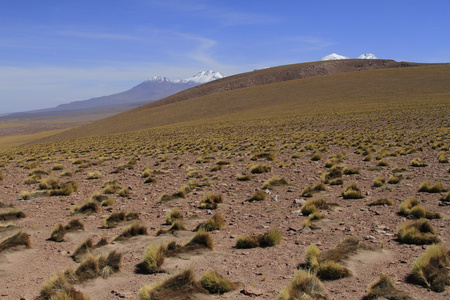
{"points": [[432, 269]]}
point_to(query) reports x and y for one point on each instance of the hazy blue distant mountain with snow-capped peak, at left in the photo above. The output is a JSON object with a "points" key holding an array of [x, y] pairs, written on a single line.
{"points": [[148, 91]]}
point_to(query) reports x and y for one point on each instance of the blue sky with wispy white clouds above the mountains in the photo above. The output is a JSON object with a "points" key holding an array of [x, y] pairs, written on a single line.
{"points": [[54, 52]]}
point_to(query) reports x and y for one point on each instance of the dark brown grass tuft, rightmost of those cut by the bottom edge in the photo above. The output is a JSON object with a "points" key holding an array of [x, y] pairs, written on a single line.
{"points": [[383, 288]]}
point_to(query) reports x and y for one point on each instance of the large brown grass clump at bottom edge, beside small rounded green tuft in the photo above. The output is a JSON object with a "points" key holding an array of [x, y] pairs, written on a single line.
{"points": [[179, 286]]}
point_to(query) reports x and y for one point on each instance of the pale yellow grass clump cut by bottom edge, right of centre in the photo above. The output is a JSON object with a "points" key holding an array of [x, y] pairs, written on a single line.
{"points": [[304, 285]]}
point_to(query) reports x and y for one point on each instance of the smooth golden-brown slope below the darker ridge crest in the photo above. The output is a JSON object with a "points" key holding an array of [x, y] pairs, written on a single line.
{"points": [[347, 91]]}
